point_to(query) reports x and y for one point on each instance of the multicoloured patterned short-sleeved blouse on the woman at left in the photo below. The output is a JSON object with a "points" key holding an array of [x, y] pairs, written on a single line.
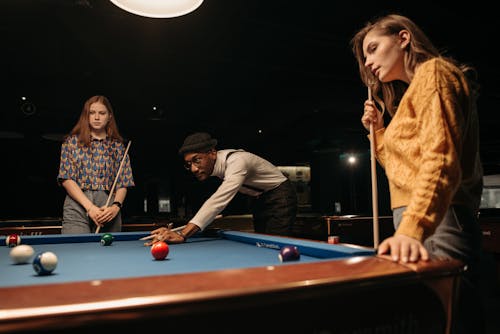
{"points": [[94, 167]]}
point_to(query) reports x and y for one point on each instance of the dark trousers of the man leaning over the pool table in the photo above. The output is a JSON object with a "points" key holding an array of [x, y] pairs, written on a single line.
{"points": [[275, 211]]}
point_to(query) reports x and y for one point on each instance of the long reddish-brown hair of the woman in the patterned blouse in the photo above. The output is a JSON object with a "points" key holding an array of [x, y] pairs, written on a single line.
{"points": [[82, 127]]}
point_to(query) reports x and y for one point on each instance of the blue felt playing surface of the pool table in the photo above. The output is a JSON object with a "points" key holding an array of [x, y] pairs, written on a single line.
{"points": [[83, 258]]}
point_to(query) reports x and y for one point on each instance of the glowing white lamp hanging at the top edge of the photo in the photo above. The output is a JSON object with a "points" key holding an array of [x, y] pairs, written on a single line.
{"points": [[158, 8]]}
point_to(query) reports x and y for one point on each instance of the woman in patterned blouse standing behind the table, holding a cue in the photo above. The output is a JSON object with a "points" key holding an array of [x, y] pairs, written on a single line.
{"points": [[91, 155]]}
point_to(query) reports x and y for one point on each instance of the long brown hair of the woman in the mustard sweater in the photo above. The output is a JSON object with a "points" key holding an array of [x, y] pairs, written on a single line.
{"points": [[418, 51]]}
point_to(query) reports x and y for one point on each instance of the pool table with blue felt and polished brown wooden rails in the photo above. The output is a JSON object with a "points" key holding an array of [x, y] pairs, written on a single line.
{"points": [[223, 281]]}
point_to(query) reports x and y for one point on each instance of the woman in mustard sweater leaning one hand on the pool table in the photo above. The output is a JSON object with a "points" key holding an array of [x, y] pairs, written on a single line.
{"points": [[429, 149]]}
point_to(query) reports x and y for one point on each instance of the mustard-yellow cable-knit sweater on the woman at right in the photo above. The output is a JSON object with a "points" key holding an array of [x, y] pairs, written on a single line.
{"points": [[430, 149]]}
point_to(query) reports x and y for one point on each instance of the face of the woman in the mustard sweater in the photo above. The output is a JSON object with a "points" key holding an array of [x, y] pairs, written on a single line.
{"points": [[384, 55]]}
